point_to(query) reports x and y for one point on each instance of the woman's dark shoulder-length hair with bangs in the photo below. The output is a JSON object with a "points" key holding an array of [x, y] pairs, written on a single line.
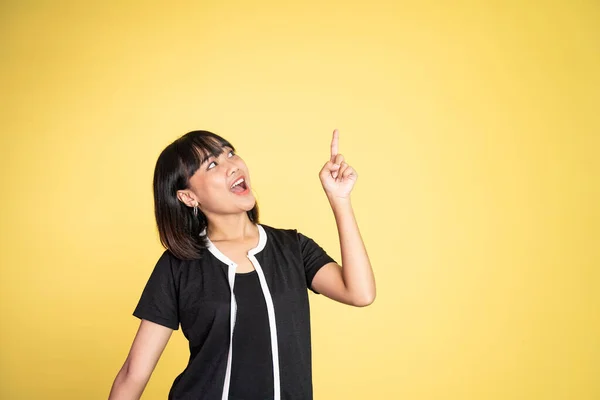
{"points": [[178, 228]]}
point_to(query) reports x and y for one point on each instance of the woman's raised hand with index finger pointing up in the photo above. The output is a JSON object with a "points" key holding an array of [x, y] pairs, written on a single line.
{"points": [[337, 177]]}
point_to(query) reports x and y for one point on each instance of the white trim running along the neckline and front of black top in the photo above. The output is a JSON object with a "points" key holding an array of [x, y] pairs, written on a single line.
{"points": [[231, 271]]}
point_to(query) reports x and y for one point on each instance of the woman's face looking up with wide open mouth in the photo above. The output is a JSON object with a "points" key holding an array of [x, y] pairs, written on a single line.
{"points": [[222, 184]]}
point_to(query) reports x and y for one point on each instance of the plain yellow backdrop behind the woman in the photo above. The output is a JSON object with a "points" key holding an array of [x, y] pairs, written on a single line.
{"points": [[474, 128]]}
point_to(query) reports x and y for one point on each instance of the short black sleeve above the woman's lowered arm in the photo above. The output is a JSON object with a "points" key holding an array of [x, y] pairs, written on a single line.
{"points": [[158, 302]]}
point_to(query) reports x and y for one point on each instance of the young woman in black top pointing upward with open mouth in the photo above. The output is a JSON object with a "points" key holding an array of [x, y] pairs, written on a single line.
{"points": [[237, 288]]}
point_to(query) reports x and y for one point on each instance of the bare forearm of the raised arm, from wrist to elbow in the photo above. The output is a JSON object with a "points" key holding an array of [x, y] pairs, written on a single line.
{"points": [[356, 267]]}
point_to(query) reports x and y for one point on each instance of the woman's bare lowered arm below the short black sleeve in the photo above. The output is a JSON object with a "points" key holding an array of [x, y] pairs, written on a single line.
{"points": [[148, 345]]}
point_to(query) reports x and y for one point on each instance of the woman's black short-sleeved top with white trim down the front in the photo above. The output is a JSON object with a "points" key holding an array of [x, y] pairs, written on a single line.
{"points": [[197, 295]]}
